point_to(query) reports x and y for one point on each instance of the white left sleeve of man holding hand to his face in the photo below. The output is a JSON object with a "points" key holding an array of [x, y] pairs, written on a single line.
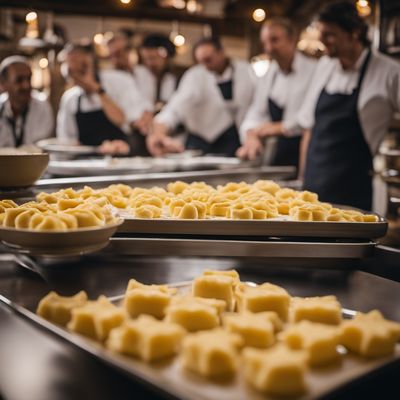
{"points": [[67, 128]]}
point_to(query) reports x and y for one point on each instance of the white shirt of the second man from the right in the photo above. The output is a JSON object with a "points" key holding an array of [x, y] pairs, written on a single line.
{"points": [[287, 90]]}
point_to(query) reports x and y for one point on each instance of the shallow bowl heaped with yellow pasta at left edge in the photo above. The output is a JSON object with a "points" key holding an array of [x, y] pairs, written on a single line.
{"points": [[46, 229]]}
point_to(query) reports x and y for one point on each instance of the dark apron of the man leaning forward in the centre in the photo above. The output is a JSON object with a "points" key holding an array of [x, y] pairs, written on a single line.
{"points": [[228, 142]]}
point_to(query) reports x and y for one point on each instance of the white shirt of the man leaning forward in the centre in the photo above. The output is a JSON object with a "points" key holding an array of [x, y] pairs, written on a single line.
{"points": [[200, 106]]}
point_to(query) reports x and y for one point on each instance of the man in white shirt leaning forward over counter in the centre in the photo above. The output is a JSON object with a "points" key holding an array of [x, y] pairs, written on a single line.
{"points": [[211, 101]]}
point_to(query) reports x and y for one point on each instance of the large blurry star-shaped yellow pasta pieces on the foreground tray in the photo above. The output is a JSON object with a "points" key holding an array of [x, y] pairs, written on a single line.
{"points": [[221, 327]]}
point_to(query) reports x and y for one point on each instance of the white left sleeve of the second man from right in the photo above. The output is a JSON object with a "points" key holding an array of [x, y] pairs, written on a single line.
{"points": [[257, 113]]}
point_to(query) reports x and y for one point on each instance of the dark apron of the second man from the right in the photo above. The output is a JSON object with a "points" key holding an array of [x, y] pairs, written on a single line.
{"points": [[287, 149]]}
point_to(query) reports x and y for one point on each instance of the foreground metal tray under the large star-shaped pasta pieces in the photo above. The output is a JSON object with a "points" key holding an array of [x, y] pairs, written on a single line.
{"points": [[168, 377]]}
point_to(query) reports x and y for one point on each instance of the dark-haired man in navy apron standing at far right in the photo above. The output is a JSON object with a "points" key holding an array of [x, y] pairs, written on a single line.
{"points": [[348, 109]]}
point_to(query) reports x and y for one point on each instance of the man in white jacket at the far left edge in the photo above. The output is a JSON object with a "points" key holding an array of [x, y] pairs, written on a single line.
{"points": [[25, 118]]}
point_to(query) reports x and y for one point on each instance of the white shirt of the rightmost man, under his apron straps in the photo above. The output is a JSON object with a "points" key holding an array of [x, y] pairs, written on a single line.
{"points": [[379, 95]]}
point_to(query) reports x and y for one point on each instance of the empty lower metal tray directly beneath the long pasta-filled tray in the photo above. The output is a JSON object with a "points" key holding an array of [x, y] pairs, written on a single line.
{"points": [[239, 248]]}
